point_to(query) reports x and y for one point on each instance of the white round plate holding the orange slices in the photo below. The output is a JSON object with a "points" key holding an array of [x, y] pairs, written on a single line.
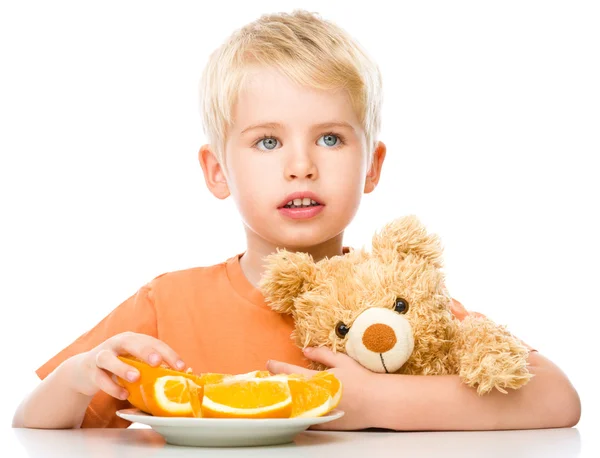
{"points": [[226, 432]]}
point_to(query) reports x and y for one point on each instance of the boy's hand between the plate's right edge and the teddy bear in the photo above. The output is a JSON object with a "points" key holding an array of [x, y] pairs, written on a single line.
{"points": [[356, 381]]}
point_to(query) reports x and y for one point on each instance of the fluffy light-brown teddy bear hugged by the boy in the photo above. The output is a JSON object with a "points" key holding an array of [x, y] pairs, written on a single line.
{"points": [[389, 309]]}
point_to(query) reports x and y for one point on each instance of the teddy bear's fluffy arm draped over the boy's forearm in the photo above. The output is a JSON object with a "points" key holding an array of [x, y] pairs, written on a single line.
{"points": [[489, 357]]}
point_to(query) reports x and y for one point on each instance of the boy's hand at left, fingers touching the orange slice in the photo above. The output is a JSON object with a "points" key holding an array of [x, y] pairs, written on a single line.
{"points": [[93, 371]]}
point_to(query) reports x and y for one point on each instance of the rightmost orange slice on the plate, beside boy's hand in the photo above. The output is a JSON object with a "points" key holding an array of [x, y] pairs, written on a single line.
{"points": [[309, 399]]}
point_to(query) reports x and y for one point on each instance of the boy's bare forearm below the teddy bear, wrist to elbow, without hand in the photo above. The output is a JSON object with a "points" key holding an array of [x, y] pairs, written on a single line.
{"points": [[409, 402]]}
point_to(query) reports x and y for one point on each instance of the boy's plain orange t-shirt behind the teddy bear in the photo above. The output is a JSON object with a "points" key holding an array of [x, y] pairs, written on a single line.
{"points": [[213, 317]]}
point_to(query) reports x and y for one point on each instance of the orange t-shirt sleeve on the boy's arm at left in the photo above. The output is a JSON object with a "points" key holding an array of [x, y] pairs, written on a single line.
{"points": [[136, 314]]}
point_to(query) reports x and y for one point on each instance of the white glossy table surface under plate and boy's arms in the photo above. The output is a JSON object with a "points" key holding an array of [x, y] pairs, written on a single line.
{"points": [[136, 442]]}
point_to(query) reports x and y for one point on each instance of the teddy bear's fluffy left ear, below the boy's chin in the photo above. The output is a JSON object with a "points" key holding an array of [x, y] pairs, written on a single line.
{"points": [[287, 275]]}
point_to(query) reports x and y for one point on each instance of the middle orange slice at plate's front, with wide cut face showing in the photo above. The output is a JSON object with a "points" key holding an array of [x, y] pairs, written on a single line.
{"points": [[250, 398]]}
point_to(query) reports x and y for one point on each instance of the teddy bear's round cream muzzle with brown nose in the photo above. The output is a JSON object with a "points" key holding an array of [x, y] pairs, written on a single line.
{"points": [[380, 339]]}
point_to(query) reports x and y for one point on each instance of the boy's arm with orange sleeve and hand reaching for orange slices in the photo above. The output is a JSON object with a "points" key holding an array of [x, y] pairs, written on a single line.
{"points": [[76, 388]]}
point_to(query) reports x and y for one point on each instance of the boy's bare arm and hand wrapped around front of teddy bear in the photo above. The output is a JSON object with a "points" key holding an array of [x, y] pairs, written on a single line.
{"points": [[418, 403]]}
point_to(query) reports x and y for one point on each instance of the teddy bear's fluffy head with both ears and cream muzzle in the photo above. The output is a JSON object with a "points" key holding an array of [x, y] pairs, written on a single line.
{"points": [[387, 308]]}
